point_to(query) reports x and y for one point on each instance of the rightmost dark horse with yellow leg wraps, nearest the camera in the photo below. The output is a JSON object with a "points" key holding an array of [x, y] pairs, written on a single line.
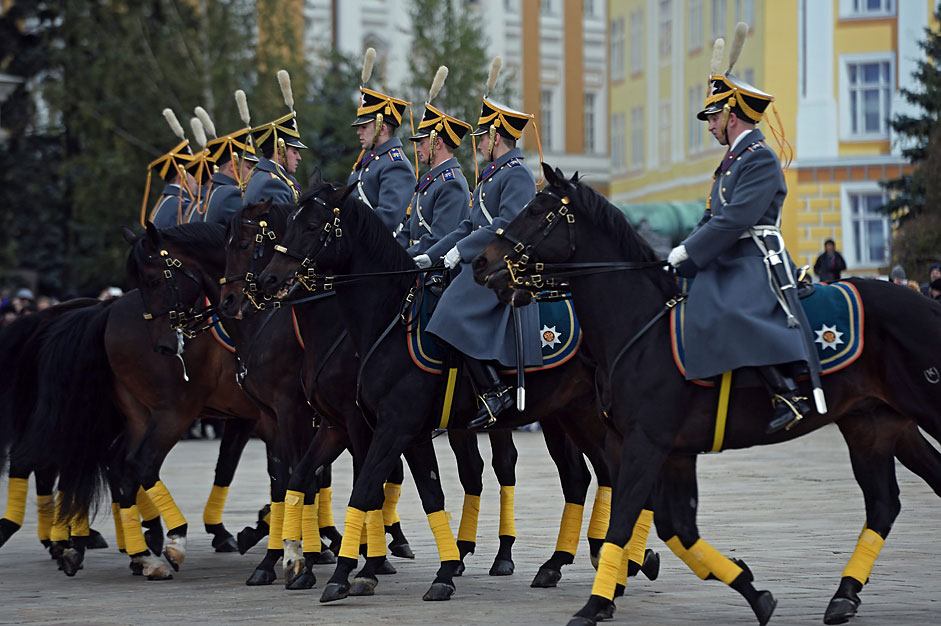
{"points": [[878, 402]]}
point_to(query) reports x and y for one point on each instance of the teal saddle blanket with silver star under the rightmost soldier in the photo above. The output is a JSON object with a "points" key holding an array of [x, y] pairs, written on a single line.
{"points": [[835, 313]]}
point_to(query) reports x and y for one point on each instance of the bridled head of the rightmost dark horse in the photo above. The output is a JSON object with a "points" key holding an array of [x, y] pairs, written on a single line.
{"points": [[543, 232]]}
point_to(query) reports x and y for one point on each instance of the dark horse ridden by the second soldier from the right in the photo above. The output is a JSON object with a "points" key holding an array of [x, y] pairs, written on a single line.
{"points": [[340, 234]]}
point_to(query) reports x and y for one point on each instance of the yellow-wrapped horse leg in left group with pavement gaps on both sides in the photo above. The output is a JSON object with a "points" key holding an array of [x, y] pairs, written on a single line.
{"points": [[235, 436]]}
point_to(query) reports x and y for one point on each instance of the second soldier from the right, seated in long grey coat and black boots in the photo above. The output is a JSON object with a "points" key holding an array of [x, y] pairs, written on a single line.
{"points": [[469, 317]]}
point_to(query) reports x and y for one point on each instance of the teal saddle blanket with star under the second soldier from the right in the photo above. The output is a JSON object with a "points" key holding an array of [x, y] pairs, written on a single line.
{"points": [[559, 334]]}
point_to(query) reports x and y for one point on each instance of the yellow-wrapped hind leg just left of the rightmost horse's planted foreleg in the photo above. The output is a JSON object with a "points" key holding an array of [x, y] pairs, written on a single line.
{"points": [[575, 478]]}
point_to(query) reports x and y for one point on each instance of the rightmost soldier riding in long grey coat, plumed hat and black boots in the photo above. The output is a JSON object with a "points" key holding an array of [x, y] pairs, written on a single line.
{"points": [[739, 313]]}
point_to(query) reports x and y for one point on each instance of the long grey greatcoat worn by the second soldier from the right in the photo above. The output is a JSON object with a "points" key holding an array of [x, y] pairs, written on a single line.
{"points": [[469, 316]]}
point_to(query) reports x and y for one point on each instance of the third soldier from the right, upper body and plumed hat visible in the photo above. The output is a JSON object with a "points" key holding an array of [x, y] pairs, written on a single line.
{"points": [[442, 198]]}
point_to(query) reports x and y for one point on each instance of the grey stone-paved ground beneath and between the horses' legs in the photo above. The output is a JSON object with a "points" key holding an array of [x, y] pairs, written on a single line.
{"points": [[793, 511]]}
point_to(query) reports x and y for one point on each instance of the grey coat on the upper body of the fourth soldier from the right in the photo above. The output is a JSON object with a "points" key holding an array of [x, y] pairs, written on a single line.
{"points": [[385, 181]]}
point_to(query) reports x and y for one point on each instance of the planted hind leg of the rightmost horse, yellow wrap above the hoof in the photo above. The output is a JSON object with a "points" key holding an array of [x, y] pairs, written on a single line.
{"points": [[873, 462]]}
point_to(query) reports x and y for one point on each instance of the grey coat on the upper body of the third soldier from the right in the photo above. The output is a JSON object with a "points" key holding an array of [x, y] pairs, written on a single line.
{"points": [[440, 203]]}
